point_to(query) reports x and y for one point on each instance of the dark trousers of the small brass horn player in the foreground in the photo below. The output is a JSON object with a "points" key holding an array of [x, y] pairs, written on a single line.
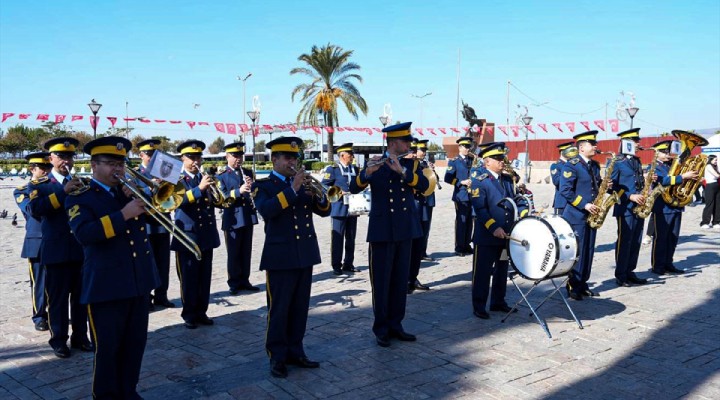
{"points": [[288, 299]]}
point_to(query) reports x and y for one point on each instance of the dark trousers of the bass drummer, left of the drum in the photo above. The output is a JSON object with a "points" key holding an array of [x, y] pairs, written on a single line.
{"points": [[486, 264]]}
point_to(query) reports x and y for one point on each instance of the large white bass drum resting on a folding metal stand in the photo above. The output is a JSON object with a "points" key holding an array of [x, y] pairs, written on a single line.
{"points": [[551, 249]]}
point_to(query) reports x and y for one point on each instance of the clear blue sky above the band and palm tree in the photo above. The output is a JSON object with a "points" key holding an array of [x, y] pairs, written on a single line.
{"points": [[163, 56]]}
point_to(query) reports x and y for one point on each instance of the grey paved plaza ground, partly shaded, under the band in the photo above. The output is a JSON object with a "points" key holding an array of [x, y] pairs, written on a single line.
{"points": [[659, 341]]}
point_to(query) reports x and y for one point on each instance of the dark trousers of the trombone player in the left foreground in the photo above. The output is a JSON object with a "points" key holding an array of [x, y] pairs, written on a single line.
{"points": [[119, 330]]}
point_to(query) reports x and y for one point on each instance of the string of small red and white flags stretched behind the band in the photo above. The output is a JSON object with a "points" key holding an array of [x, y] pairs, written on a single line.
{"points": [[233, 128]]}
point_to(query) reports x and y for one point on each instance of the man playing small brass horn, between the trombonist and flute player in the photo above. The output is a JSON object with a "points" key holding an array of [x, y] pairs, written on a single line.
{"points": [[289, 254]]}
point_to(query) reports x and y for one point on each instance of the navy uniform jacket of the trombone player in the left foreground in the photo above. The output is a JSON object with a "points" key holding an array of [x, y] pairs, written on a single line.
{"points": [[118, 261]]}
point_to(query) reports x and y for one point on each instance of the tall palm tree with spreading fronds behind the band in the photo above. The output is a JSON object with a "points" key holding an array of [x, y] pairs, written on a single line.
{"points": [[333, 77]]}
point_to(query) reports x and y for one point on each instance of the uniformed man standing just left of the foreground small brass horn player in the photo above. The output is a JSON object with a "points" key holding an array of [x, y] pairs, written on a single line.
{"points": [[239, 219]]}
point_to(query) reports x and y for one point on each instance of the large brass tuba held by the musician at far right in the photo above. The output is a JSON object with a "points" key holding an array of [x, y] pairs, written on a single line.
{"points": [[682, 194]]}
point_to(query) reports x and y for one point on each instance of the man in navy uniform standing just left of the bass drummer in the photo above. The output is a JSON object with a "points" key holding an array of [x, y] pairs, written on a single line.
{"points": [[458, 175]]}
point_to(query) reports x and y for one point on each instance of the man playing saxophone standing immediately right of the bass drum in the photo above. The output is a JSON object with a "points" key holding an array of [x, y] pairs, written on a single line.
{"points": [[579, 184]]}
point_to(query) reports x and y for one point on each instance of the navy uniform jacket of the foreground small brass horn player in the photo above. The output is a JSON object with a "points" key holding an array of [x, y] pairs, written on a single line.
{"points": [[290, 239]]}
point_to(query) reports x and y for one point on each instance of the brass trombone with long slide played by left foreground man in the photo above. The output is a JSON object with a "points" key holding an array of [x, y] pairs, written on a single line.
{"points": [[157, 212]]}
